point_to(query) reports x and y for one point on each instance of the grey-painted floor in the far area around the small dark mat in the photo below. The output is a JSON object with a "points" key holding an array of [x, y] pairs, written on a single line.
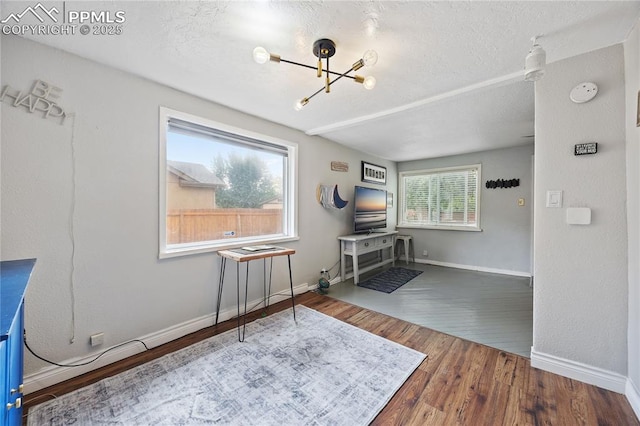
{"points": [[492, 309]]}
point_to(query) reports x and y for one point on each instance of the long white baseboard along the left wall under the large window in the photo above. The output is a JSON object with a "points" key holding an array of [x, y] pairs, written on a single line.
{"points": [[52, 375]]}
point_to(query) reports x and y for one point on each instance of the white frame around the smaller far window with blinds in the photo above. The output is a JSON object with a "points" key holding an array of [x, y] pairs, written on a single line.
{"points": [[457, 227]]}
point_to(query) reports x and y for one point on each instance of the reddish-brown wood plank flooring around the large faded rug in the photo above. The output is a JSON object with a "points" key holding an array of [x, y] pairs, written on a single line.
{"points": [[458, 383]]}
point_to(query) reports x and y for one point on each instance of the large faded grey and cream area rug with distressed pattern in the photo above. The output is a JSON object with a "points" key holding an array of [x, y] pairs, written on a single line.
{"points": [[316, 371]]}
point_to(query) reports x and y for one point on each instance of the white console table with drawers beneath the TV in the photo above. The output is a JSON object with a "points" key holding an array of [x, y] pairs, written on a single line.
{"points": [[357, 244]]}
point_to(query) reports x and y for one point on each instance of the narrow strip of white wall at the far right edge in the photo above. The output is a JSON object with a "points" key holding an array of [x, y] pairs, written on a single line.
{"points": [[632, 81]]}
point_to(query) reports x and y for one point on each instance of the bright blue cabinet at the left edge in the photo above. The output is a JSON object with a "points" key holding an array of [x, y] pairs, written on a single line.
{"points": [[14, 277]]}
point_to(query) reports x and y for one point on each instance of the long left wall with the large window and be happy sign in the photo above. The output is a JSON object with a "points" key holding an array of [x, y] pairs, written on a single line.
{"points": [[91, 185]]}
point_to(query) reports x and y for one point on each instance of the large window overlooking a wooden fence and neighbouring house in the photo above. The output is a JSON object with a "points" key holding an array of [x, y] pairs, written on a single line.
{"points": [[222, 187]]}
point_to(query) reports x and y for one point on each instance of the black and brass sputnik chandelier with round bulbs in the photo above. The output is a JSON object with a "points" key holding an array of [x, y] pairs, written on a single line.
{"points": [[324, 49]]}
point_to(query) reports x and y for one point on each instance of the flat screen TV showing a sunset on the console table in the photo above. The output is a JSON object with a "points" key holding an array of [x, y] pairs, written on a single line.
{"points": [[370, 209]]}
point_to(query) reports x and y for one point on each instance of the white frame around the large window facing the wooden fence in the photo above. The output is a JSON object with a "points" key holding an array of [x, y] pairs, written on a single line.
{"points": [[290, 199]]}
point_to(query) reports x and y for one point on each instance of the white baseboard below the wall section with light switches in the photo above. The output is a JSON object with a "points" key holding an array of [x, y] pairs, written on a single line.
{"points": [[576, 370]]}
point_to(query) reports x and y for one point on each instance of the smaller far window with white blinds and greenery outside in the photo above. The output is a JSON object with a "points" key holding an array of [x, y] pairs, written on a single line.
{"points": [[440, 198]]}
